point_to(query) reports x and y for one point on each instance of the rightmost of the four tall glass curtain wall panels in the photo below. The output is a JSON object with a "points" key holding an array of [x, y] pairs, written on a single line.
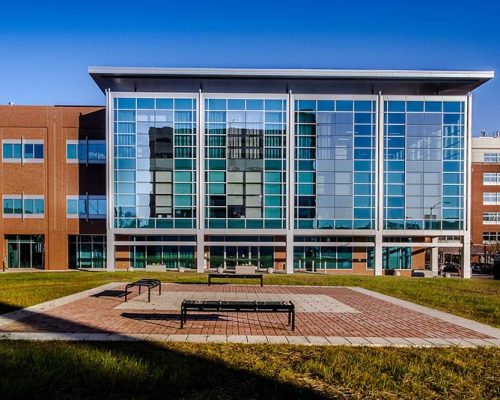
{"points": [[424, 165]]}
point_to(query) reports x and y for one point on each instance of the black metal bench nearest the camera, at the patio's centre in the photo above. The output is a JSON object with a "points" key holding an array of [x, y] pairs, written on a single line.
{"points": [[238, 306]]}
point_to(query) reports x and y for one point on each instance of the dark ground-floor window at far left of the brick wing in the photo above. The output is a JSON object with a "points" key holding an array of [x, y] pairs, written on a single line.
{"points": [[25, 251]]}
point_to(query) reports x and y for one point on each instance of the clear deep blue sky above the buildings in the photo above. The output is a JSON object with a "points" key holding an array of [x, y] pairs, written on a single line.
{"points": [[46, 47]]}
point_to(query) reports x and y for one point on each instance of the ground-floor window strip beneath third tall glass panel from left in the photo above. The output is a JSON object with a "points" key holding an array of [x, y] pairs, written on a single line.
{"points": [[313, 258]]}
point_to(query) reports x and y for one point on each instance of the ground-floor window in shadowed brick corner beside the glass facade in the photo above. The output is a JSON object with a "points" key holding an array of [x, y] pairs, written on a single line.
{"points": [[87, 251]]}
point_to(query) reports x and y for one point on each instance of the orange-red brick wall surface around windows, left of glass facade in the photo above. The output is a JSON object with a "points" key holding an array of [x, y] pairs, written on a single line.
{"points": [[54, 178]]}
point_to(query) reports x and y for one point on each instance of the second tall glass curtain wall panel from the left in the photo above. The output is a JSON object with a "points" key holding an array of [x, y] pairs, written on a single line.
{"points": [[245, 163]]}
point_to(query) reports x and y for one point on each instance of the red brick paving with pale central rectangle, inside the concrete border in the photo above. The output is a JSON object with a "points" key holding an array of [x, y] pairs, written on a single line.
{"points": [[351, 314]]}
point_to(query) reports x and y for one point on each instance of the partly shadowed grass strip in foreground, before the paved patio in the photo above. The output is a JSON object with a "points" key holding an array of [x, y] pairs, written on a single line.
{"points": [[59, 370]]}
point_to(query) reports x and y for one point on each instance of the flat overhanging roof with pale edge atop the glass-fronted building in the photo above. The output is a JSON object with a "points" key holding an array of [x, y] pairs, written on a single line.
{"points": [[357, 81]]}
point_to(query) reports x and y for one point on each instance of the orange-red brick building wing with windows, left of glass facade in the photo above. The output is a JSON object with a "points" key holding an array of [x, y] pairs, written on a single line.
{"points": [[53, 157]]}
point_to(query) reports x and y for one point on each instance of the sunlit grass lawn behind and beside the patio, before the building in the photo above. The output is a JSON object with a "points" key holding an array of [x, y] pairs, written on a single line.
{"points": [[477, 299]]}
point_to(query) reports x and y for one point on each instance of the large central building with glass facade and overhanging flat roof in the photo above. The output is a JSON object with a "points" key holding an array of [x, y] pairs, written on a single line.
{"points": [[310, 170]]}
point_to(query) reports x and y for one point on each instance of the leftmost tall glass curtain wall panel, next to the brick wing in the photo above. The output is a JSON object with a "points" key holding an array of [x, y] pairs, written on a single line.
{"points": [[155, 162]]}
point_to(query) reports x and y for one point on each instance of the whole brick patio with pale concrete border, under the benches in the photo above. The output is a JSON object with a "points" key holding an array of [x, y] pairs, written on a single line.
{"points": [[350, 315]]}
